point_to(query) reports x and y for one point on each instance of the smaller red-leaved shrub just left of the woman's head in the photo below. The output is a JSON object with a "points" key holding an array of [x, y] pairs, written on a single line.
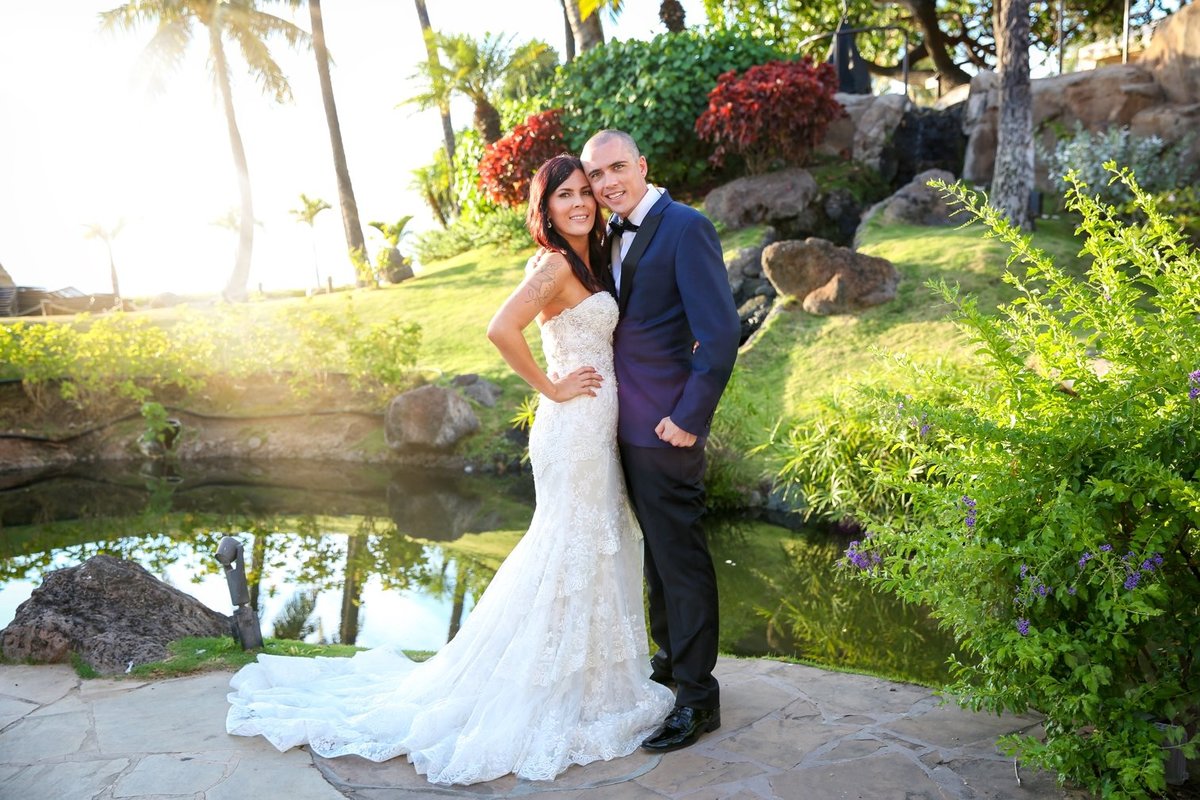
{"points": [[511, 163]]}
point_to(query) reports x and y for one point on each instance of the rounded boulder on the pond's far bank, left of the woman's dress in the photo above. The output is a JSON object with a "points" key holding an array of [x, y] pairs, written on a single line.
{"points": [[429, 418]]}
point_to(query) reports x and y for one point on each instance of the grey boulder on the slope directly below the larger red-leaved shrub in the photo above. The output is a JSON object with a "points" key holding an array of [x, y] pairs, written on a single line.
{"points": [[783, 200]]}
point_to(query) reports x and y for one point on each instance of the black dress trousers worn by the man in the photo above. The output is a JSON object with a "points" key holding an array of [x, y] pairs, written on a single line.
{"points": [[667, 486]]}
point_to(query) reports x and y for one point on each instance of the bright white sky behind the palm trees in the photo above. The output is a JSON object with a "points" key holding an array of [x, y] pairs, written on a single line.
{"points": [[83, 143]]}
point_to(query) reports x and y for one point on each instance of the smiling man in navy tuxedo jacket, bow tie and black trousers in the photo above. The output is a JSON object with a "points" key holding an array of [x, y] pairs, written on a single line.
{"points": [[675, 347]]}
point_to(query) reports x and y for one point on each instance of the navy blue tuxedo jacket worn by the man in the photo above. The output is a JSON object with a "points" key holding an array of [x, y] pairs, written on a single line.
{"points": [[674, 294]]}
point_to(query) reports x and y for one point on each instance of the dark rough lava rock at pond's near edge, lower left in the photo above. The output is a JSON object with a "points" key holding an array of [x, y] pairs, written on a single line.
{"points": [[111, 612]]}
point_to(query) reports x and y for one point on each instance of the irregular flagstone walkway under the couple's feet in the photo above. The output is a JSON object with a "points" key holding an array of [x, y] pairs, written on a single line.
{"points": [[790, 732]]}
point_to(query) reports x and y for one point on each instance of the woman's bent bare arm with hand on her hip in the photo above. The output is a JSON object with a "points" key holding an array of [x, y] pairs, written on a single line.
{"points": [[543, 284]]}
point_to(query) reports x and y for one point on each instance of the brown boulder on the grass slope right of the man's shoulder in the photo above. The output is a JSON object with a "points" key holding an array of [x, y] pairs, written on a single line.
{"points": [[830, 280]]}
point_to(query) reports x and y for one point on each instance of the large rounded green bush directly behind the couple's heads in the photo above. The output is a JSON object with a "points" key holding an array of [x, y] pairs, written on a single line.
{"points": [[655, 92]]}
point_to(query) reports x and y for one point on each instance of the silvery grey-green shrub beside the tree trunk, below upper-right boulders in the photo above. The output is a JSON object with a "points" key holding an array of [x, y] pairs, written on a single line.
{"points": [[1159, 166]]}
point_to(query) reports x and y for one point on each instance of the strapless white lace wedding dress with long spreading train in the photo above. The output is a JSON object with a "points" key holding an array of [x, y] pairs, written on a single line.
{"points": [[550, 669]]}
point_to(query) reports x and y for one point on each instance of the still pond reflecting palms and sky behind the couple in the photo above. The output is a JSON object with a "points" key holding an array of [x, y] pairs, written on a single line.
{"points": [[377, 556]]}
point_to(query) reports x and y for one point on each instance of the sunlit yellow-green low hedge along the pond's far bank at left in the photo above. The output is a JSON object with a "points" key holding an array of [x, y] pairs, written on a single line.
{"points": [[105, 364]]}
